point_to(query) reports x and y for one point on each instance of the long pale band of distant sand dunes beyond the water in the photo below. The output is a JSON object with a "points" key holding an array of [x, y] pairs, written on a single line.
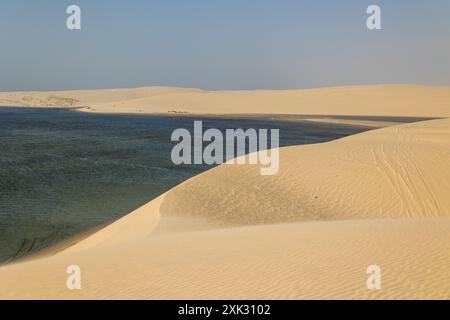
{"points": [[373, 100]]}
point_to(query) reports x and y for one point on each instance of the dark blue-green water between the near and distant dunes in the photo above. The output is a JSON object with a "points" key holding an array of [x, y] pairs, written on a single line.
{"points": [[64, 172]]}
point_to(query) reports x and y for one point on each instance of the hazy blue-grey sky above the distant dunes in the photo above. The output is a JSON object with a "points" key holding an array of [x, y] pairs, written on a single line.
{"points": [[222, 44]]}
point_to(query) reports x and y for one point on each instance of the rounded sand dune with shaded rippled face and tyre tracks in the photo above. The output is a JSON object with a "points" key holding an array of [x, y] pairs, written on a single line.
{"points": [[397, 172]]}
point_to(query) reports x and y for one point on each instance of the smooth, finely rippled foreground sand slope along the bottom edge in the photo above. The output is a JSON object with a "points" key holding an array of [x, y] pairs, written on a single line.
{"points": [[302, 260]]}
